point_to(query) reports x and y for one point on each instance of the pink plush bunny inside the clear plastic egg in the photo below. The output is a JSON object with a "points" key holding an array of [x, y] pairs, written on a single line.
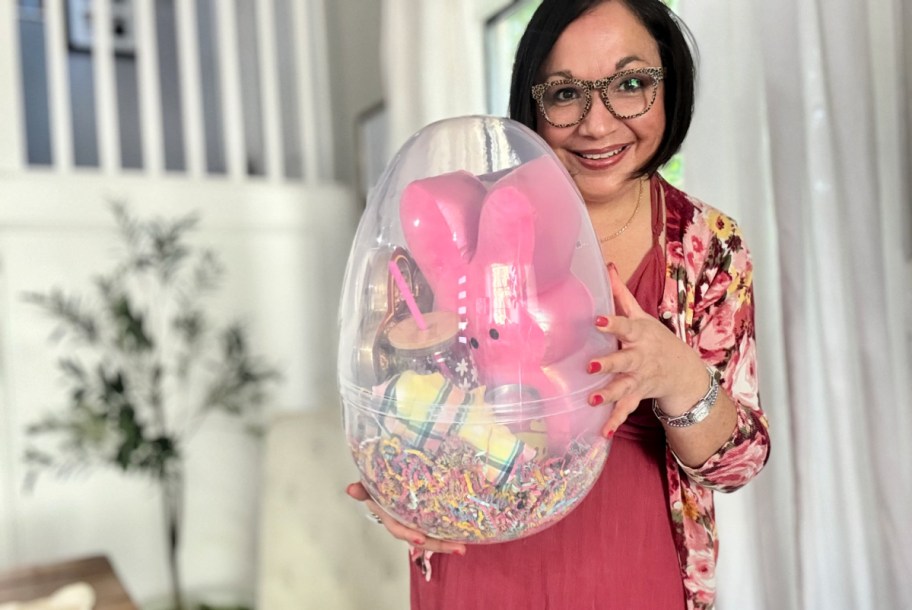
{"points": [[500, 257]]}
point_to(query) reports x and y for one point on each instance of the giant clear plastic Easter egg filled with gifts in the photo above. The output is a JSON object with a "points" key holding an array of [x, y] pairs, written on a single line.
{"points": [[466, 324]]}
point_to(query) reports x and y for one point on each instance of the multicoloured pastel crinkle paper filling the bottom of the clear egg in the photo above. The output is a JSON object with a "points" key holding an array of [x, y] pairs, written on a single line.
{"points": [[448, 496]]}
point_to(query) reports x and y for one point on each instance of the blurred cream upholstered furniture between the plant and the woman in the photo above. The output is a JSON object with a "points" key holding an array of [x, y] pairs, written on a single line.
{"points": [[317, 548]]}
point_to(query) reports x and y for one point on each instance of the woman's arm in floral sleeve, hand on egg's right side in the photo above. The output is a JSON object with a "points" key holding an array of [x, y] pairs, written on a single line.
{"points": [[731, 444]]}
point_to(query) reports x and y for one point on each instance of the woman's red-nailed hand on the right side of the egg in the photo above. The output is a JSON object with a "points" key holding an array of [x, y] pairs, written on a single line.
{"points": [[651, 362]]}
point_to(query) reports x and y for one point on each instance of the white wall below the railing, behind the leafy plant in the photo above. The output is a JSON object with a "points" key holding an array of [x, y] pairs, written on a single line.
{"points": [[284, 247]]}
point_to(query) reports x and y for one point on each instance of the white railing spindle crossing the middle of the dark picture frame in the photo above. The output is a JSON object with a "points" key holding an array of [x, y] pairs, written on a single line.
{"points": [[106, 110]]}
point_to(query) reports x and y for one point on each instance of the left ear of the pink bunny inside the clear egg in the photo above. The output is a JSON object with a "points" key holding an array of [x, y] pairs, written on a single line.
{"points": [[439, 219]]}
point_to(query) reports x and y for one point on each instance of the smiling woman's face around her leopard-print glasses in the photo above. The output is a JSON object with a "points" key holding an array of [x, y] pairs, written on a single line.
{"points": [[602, 152]]}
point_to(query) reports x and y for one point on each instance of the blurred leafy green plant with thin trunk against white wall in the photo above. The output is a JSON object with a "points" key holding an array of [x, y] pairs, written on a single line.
{"points": [[140, 349]]}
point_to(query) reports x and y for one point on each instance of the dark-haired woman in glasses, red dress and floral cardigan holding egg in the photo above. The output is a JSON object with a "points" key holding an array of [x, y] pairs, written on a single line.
{"points": [[609, 86]]}
